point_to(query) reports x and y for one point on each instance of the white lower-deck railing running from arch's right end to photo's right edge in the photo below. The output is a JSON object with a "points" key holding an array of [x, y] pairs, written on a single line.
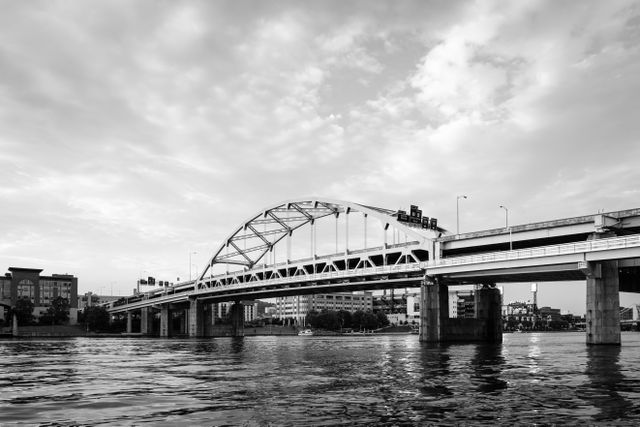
{"points": [[542, 251]]}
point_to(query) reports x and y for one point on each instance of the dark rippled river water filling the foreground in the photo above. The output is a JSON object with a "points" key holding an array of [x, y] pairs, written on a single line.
{"points": [[388, 380]]}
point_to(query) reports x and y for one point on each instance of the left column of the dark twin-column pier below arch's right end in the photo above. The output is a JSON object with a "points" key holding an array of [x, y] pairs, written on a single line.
{"points": [[434, 310]]}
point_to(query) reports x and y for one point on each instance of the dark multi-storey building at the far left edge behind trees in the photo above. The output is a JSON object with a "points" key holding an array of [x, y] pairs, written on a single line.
{"points": [[41, 290]]}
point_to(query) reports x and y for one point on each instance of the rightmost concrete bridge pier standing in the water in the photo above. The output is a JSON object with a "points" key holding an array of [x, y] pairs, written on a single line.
{"points": [[603, 303]]}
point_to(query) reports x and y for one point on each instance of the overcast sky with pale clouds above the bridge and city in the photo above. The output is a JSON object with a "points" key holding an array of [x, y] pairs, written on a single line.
{"points": [[135, 133]]}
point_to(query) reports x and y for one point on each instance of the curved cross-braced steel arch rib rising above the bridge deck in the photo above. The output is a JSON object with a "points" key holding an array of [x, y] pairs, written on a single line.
{"points": [[258, 235]]}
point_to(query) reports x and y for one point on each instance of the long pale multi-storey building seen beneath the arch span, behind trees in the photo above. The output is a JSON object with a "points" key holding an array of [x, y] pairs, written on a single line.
{"points": [[297, 307]]}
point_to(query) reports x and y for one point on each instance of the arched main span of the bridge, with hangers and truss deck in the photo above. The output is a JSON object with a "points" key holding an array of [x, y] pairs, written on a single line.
{"points": [[251, 248]]}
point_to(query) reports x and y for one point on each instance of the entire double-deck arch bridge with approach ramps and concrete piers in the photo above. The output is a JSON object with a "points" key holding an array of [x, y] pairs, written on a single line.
{"points": [[308, 246]]}
